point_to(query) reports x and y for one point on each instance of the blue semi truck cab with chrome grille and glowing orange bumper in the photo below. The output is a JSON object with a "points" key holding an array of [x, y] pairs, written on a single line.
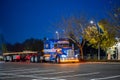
{"points": [[59, 51]]}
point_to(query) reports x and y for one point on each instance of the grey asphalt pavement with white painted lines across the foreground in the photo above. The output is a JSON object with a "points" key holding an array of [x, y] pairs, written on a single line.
{"points": [[51, 71]]}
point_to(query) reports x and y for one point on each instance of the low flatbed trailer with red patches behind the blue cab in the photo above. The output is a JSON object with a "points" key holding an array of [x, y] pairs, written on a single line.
{"points": [[19, 56]]}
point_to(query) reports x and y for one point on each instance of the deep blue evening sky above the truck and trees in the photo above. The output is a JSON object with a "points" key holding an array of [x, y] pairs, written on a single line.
{"points": [[23, 19]]}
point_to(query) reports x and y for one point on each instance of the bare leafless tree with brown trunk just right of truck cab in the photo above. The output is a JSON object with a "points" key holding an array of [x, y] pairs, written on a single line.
{"points": [[73, 29]]}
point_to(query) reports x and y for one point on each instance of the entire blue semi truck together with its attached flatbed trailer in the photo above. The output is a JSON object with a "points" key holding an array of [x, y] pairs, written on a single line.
{"points": [[55, 50]]}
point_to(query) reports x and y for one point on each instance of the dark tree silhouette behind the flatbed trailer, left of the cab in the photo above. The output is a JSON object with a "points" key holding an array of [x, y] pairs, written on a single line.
{"points": [[29, 44]]}
